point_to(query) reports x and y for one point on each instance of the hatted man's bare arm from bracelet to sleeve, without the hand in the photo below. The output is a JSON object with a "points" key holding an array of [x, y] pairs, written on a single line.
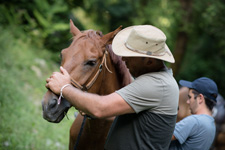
{"points": [[95, 105]]}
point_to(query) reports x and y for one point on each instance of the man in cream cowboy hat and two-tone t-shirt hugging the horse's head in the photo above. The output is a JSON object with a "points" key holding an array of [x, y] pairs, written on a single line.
{"points": [[145, 109]]}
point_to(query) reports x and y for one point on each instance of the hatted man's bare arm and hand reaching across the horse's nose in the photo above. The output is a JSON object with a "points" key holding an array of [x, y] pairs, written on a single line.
{"points": [[91, 104]]}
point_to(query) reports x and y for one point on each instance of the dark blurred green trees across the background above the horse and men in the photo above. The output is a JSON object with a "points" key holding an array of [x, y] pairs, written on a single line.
{"points": [[202, 22]]}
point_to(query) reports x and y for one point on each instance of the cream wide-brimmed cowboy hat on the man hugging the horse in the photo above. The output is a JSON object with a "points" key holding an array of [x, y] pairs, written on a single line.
{"points": [[142, 41]]}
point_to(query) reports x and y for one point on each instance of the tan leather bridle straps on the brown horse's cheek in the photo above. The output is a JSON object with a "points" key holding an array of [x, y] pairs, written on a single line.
{"points": [[88, 85]]}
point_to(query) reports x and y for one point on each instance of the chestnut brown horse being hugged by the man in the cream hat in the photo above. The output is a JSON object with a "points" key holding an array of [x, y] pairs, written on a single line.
{"points": [[94, 68]]}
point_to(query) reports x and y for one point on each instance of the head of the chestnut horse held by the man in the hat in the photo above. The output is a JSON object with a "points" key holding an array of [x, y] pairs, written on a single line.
{"points": [[82, 59]]}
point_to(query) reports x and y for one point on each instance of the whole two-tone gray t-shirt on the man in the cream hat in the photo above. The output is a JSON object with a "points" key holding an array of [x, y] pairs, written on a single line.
{"points": [[154, 98]]}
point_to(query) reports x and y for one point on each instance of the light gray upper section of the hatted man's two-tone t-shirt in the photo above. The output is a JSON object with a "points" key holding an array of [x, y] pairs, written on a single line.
{"points": [[157, 92]]}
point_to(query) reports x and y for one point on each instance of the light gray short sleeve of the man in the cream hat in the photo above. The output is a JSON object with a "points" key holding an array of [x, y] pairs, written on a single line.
{"points": [[143, 94]]}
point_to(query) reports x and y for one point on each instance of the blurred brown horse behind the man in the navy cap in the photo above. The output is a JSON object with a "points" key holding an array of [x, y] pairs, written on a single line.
{"points": [[218, 114]]}
